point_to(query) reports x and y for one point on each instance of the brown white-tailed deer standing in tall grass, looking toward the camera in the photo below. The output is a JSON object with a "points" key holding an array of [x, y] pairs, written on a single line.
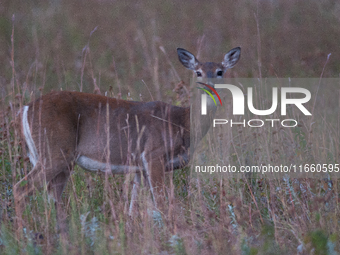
{"points": [[99, 133]]}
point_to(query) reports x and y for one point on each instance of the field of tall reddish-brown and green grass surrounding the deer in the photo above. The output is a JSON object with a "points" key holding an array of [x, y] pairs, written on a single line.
{"points": [[128, 50]]}
